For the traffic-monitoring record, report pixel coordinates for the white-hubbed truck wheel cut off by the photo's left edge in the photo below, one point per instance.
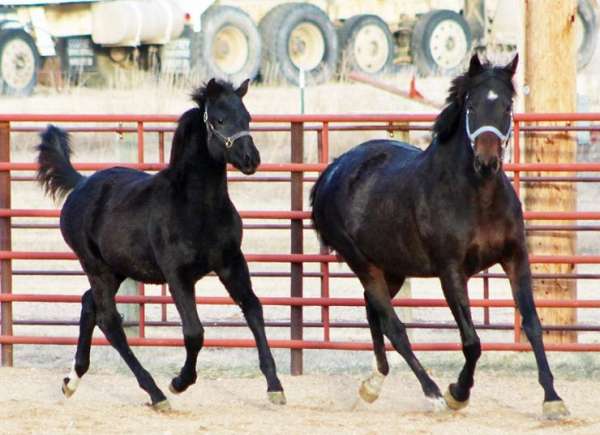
(19, 63)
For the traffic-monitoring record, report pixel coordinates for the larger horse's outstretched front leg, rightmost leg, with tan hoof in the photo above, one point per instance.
(519, 273)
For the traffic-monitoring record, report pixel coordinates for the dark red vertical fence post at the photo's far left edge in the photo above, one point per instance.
(5, 245)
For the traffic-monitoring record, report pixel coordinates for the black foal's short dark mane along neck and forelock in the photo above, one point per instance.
(191, 121)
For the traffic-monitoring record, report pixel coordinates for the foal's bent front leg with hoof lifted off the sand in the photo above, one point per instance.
(193, 333)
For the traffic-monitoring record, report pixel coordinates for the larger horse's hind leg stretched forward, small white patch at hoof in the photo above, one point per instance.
(378, 296)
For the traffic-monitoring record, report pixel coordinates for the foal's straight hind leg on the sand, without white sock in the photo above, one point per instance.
(108, 319)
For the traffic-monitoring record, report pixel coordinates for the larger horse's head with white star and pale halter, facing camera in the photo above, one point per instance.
(488, 113)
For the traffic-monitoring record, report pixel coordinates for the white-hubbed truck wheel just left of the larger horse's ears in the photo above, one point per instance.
(440, 42)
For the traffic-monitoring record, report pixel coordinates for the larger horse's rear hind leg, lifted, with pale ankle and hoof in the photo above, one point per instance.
(370, 388)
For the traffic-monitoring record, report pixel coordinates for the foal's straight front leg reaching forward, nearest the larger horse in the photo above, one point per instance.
(236, 279)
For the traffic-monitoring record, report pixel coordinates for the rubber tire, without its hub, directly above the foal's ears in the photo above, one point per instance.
(213, 20)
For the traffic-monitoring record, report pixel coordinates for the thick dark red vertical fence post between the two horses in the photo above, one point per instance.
(296, 290)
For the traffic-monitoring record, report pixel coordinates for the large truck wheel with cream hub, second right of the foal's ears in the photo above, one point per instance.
(298, 36)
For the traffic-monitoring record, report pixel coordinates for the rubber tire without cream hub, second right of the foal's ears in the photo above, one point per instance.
(275, 29)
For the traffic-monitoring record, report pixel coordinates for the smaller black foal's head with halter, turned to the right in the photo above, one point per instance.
(227, 125)
